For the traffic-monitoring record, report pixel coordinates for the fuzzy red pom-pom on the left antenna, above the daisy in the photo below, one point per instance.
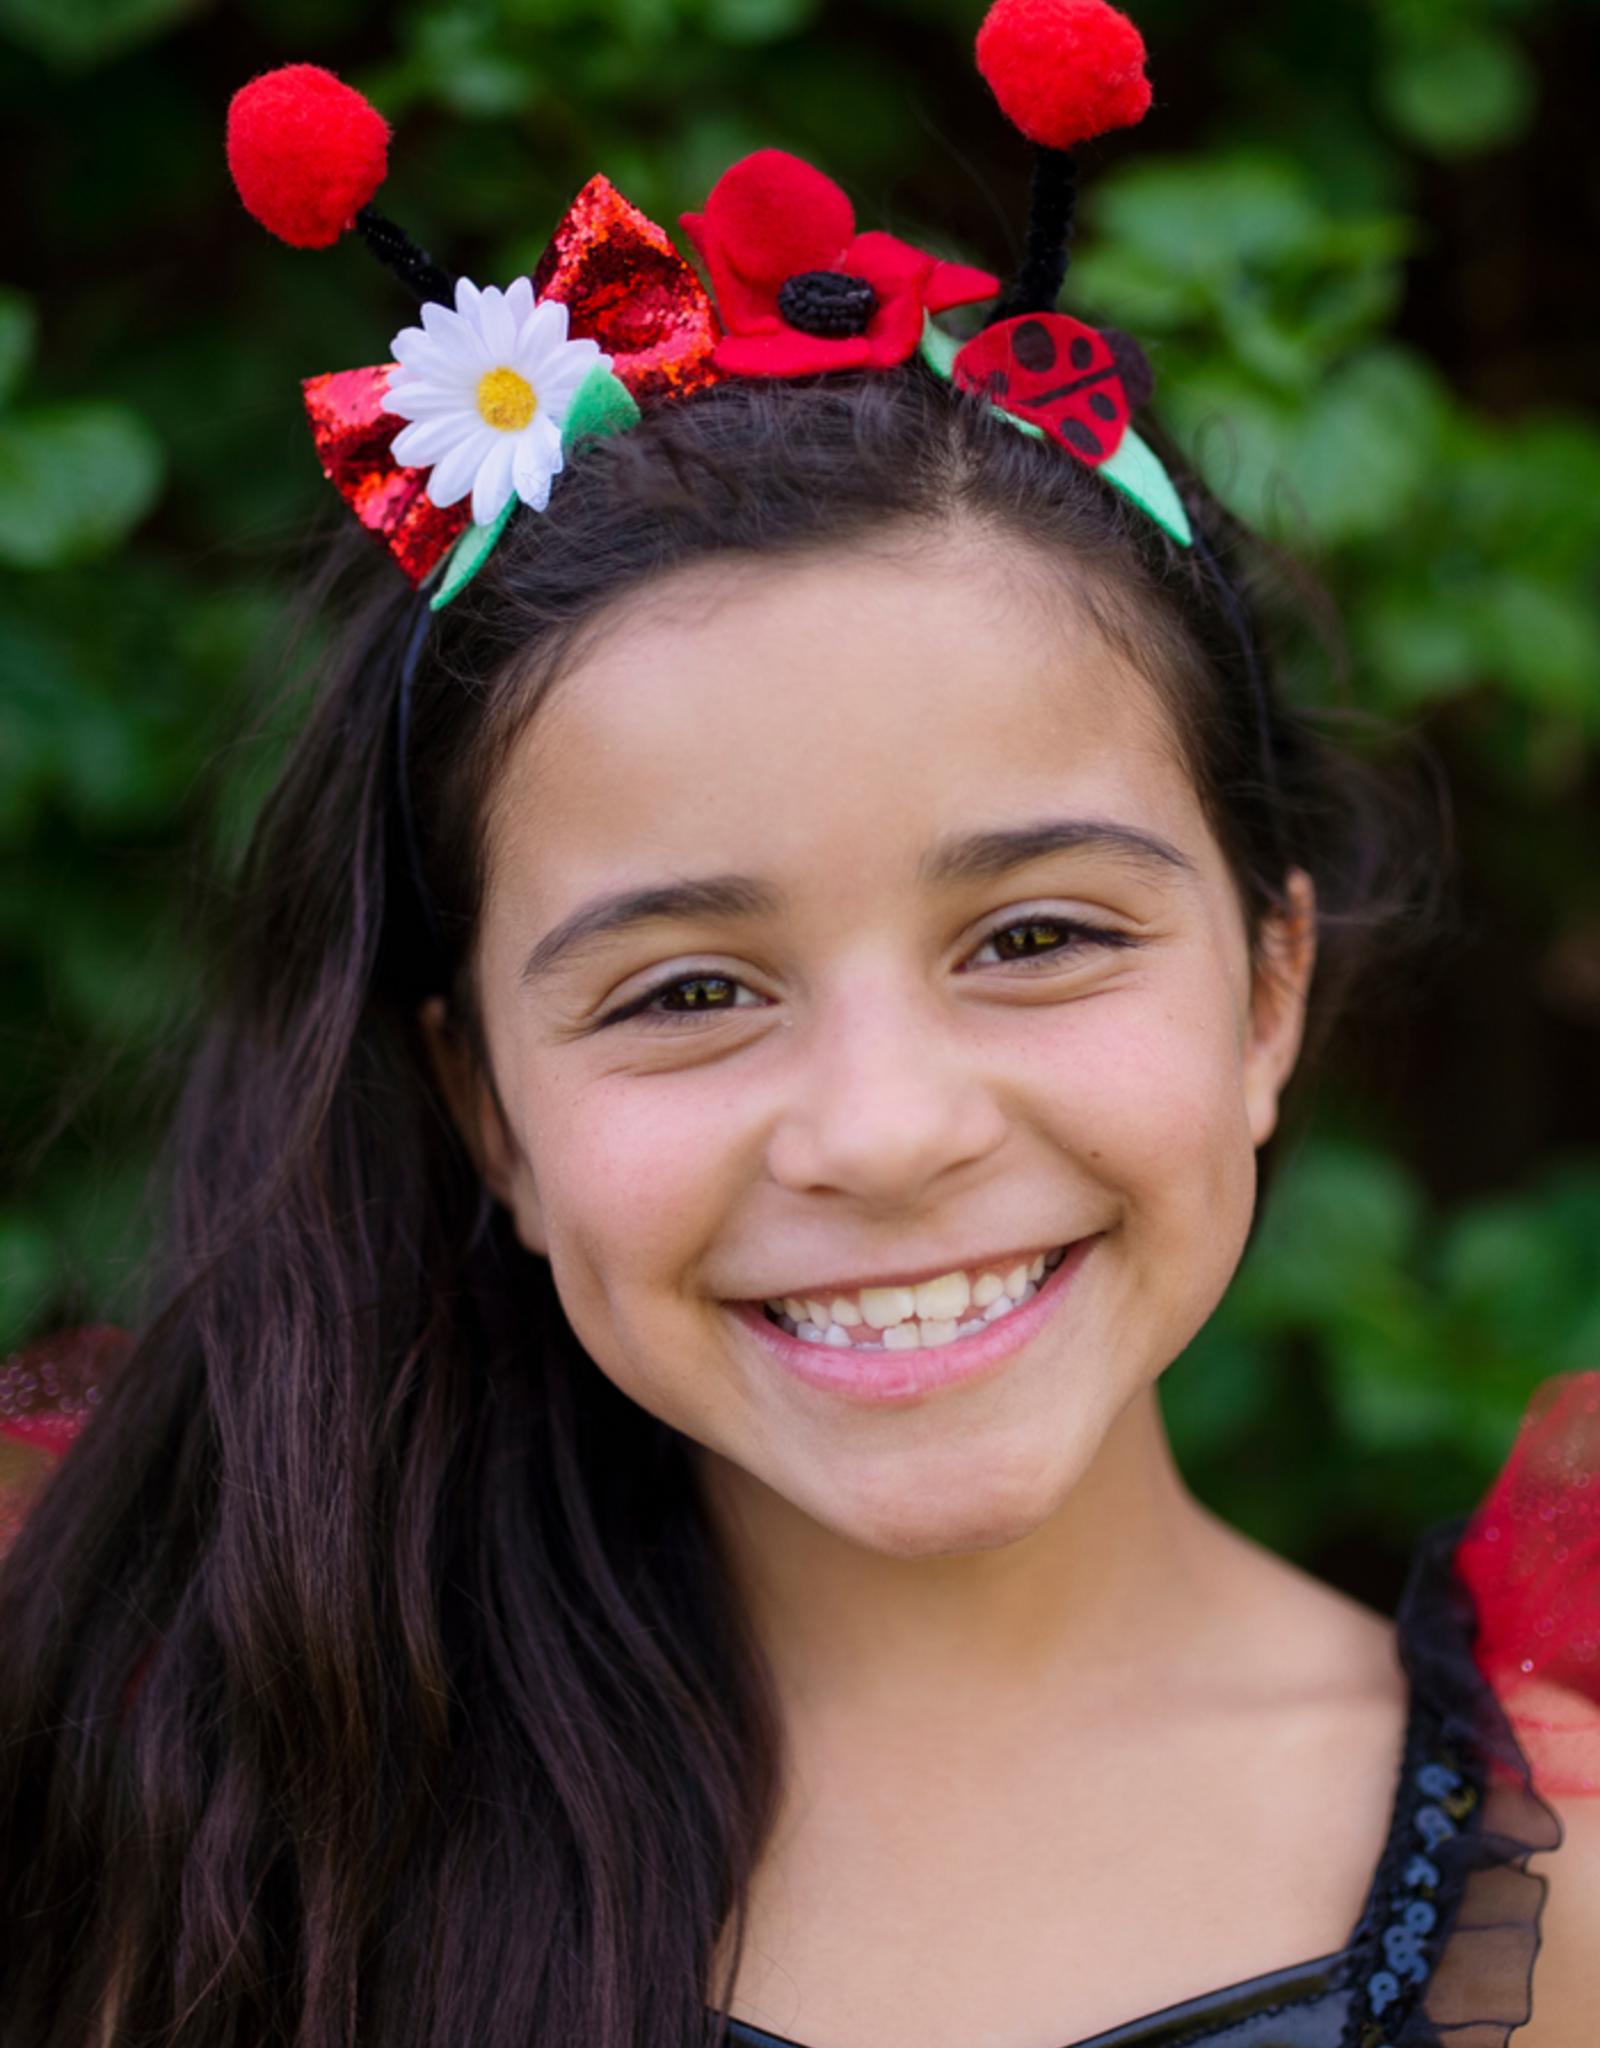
(306, 153)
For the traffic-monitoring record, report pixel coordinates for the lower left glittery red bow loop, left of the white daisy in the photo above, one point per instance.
(353, 435)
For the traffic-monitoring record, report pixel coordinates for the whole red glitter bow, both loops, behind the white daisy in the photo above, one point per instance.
(624, 286)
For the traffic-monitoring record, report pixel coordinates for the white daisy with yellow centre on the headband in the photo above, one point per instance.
(487, 390)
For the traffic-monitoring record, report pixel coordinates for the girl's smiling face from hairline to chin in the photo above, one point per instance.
(855, 943)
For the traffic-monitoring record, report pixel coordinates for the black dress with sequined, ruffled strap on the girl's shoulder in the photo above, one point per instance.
(1445, 1947)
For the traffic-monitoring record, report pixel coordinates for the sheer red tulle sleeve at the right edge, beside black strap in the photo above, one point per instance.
(1531, 1562)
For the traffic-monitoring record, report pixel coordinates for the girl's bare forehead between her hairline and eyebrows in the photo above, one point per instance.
(843, 710)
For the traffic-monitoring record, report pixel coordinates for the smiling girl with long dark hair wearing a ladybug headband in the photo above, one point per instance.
(640, 1508)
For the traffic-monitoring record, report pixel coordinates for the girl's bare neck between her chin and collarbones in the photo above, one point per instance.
(1122, 1570)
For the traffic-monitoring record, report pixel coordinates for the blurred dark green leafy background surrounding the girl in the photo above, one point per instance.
(1355, 243)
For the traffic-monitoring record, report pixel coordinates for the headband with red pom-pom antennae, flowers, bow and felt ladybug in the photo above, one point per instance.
(495, 392)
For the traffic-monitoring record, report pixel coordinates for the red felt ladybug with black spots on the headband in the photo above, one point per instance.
(1075, 382)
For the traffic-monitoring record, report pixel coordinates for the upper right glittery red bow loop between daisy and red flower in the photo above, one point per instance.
(626, 286)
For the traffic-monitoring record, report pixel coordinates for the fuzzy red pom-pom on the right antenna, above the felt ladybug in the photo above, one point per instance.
(1064, 71)
